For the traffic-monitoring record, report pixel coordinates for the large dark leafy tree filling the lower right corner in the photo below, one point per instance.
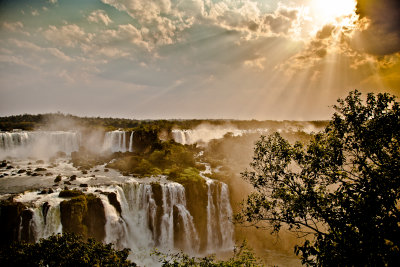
(341, 191)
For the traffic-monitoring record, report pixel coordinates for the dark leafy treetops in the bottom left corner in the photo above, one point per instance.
(64, 250)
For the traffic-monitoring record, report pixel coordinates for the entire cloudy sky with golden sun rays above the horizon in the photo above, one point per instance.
(184, 59)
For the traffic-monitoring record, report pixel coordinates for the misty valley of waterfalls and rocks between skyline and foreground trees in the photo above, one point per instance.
(172, 185)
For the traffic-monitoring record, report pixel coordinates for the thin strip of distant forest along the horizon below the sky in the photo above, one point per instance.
(60, 121)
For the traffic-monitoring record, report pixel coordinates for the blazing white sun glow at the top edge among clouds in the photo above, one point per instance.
(328, 11)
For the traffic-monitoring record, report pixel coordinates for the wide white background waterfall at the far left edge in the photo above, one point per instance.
(38, 143)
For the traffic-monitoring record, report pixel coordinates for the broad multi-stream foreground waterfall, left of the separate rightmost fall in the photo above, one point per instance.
(137, 225)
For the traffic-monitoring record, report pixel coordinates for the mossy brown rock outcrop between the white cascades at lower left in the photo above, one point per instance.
(84, 215)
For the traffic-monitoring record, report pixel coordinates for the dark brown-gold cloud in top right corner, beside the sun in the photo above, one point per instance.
(381, 36)
